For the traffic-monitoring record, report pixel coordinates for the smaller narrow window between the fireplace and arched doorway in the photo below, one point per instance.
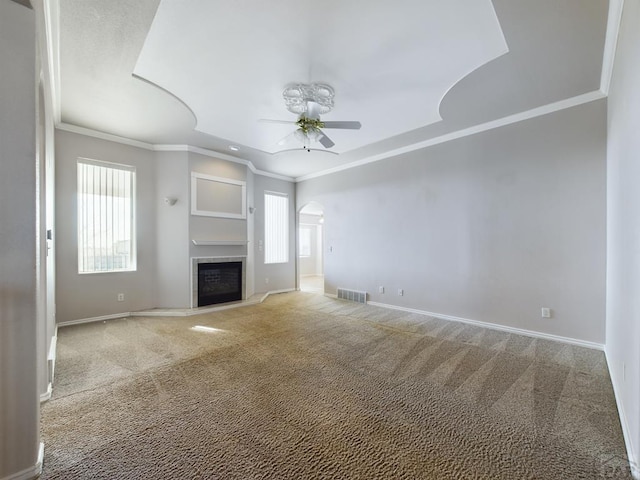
(276, 227)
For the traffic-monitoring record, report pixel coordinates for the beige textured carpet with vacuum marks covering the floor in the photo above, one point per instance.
(307, 387)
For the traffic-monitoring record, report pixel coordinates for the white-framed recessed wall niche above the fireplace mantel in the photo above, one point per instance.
(218, 197)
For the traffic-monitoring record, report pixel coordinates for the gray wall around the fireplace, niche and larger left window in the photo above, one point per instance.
(165, 232)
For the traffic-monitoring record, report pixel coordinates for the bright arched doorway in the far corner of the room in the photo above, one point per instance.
(310, 248)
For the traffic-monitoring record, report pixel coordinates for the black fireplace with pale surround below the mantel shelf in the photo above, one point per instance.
(217, 280)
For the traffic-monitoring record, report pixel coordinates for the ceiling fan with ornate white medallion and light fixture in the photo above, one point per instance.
(309, 102)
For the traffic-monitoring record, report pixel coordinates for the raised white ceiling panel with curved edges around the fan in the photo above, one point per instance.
(229, 62)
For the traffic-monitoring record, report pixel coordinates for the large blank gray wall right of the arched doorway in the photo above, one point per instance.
(491, 227)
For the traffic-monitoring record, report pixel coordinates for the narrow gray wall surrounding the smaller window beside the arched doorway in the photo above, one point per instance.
(279, 276)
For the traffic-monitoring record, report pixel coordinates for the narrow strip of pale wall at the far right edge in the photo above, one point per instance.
(623, 226)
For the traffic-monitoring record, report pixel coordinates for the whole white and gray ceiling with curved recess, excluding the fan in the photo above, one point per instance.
(203, 72)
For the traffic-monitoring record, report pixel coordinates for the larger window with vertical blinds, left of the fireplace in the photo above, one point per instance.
(106, 213)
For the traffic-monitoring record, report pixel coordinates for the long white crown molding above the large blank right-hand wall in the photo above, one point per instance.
(483, 127)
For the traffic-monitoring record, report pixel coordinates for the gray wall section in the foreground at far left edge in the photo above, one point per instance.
(19, 346)
